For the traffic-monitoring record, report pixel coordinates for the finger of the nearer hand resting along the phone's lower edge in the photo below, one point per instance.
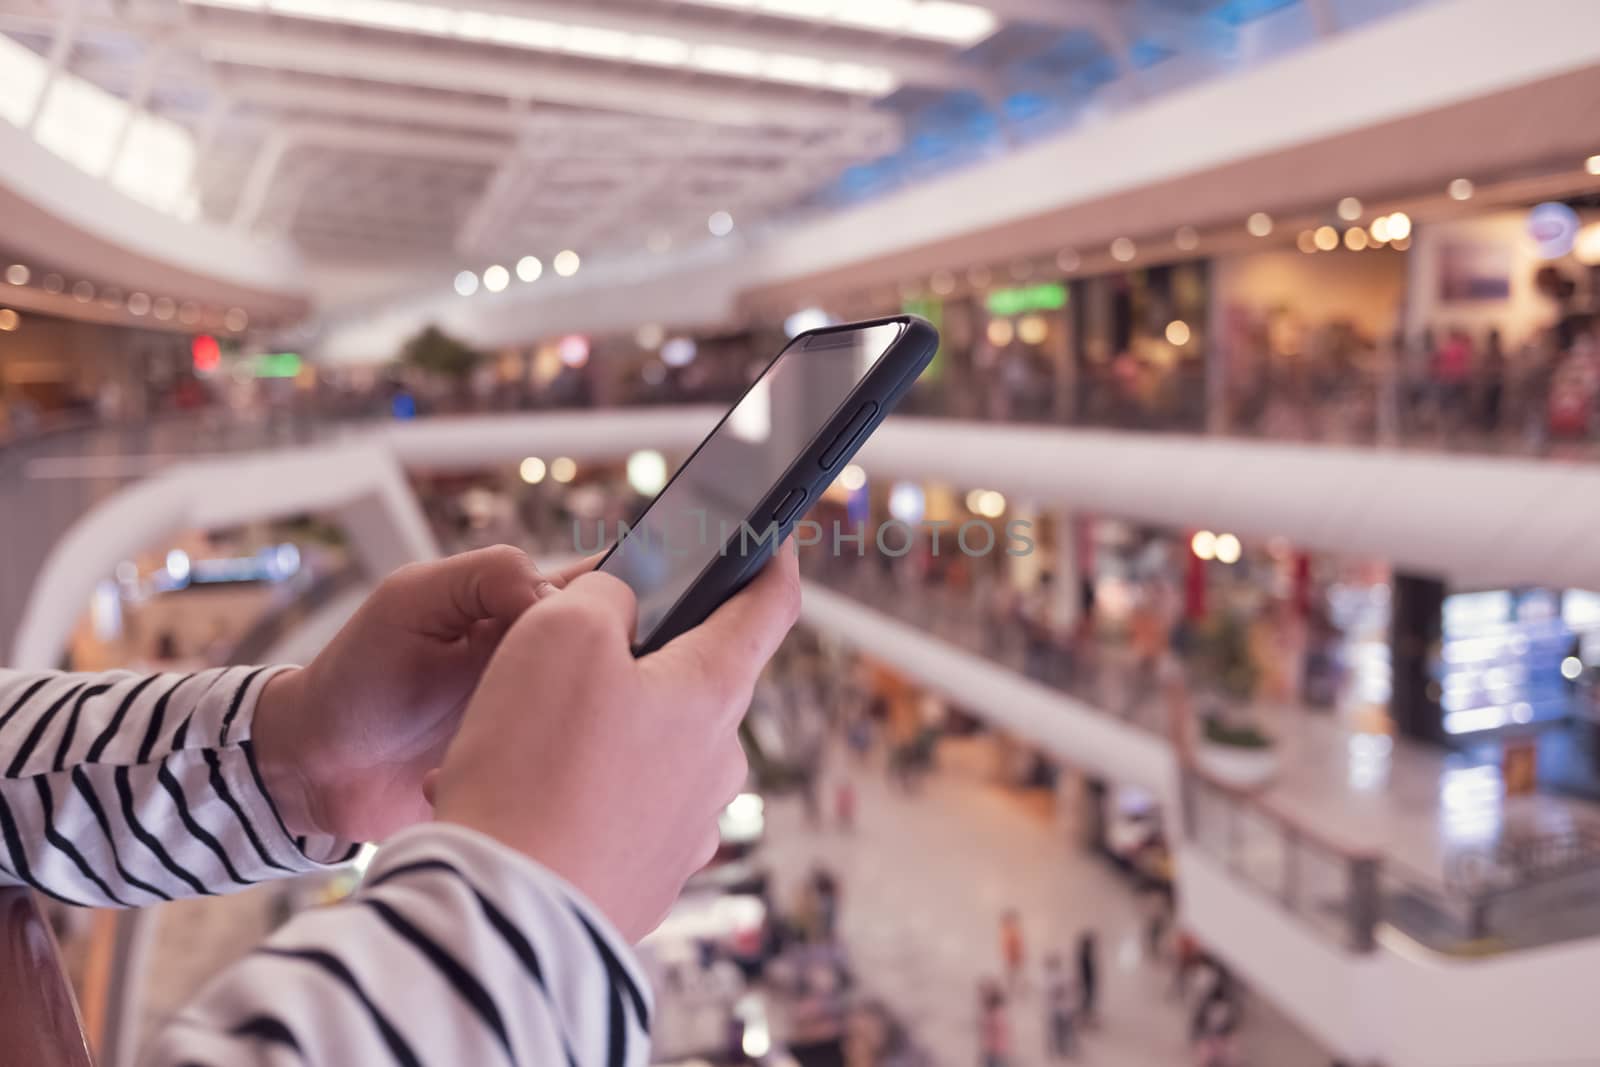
(732, 647)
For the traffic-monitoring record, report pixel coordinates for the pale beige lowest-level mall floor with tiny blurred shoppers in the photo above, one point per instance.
(926, 881)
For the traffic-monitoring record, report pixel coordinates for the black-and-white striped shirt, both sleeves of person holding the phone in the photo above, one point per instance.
(121, 791)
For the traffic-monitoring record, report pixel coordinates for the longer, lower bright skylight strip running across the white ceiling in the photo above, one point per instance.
(583, 41)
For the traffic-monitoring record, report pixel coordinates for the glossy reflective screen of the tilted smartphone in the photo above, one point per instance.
(698, 516)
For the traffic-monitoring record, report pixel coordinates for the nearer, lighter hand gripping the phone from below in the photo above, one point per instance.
(606, 769)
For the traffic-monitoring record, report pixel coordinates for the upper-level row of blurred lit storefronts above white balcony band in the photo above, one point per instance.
(1446, 386)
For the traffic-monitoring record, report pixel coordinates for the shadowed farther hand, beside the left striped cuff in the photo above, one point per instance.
(345, 743)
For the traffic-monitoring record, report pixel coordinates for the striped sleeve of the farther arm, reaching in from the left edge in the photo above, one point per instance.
(121, 789)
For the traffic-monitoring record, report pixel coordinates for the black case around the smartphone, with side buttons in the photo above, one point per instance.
(743, 559)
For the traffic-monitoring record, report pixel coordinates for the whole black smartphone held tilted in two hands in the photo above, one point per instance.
(742, 492)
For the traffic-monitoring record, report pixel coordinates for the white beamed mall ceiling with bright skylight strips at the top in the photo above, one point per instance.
(433, 134)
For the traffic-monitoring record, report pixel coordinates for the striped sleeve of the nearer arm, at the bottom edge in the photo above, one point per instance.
(457, 951)
